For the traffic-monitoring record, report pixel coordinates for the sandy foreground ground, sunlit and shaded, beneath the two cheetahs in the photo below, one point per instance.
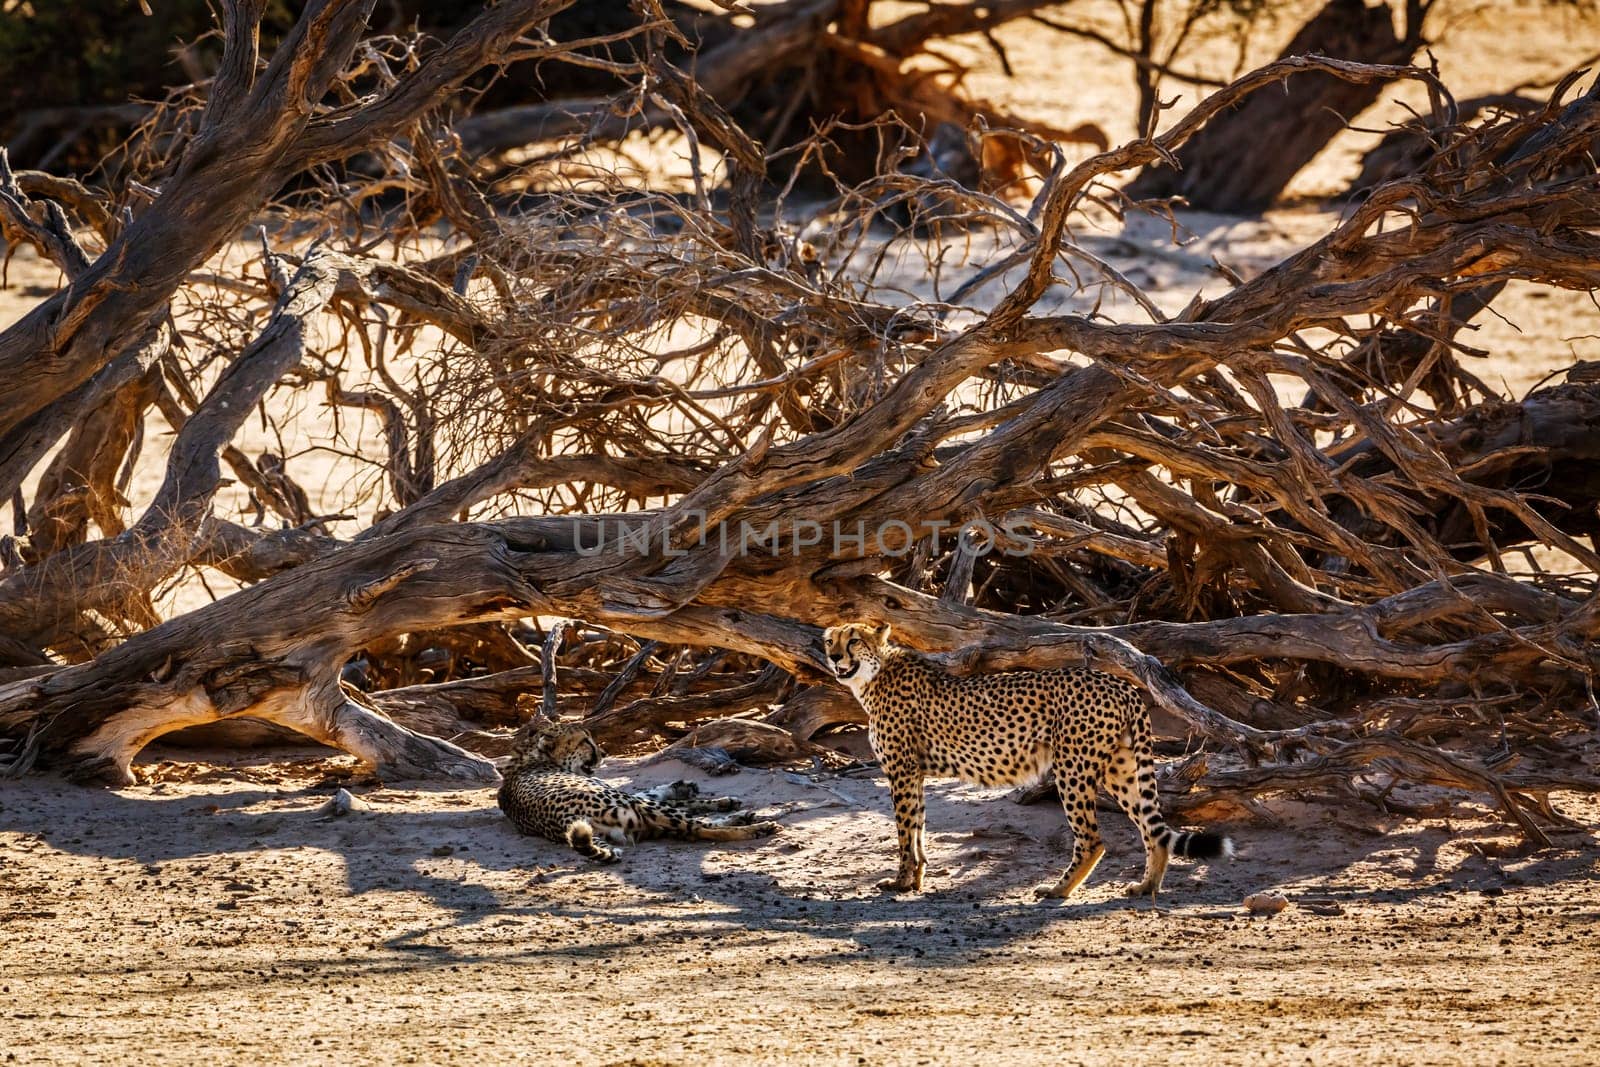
(212, 916)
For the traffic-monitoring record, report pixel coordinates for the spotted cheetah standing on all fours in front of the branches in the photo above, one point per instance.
(1007, 730)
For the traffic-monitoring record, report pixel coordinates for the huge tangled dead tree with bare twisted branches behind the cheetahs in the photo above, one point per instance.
(658, 414)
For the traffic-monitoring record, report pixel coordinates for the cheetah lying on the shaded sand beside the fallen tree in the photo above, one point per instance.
(550, 793)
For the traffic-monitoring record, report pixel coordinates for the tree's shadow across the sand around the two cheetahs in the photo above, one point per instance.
(980, 893)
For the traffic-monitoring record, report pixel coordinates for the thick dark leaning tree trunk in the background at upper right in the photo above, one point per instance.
(1246, 158)
